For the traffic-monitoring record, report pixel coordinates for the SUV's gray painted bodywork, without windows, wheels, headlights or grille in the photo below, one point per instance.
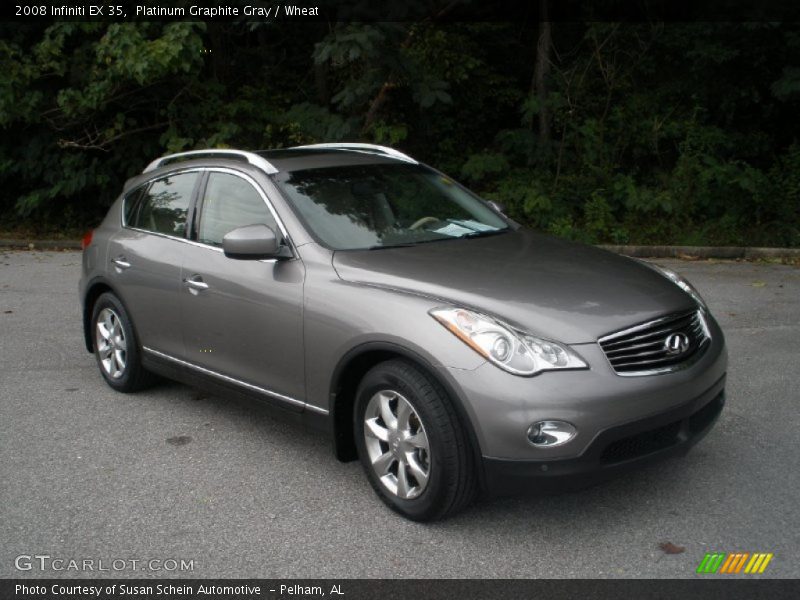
(286, 326)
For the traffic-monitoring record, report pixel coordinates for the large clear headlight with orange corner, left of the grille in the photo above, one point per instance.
(511, 350)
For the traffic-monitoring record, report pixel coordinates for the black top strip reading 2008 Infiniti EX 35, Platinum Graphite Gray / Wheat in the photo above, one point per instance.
(278, 11)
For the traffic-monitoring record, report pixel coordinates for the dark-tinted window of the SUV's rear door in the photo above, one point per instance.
(163, 208)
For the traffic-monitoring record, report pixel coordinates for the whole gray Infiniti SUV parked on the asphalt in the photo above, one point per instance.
(446, 347)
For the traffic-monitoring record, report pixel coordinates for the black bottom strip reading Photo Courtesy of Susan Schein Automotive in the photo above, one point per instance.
(731, 588)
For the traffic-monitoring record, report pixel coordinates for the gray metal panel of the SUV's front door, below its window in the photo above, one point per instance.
(248, 323)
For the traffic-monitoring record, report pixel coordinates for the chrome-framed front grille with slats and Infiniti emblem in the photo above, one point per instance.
(645, 349)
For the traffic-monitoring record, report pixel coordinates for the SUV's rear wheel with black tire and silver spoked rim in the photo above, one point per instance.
(116, 348)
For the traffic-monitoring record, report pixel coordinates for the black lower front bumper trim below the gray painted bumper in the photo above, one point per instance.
(613, 452)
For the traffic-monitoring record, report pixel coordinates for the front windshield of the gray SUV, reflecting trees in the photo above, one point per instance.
(377, 206)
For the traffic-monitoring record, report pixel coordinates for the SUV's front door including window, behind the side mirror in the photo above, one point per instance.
(242, 319)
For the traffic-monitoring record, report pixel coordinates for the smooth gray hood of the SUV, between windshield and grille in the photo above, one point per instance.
(551, 287)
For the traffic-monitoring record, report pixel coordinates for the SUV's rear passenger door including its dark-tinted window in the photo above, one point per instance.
(145, 258)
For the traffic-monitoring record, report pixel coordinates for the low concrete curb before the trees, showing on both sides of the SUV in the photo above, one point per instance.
(701, 252)
